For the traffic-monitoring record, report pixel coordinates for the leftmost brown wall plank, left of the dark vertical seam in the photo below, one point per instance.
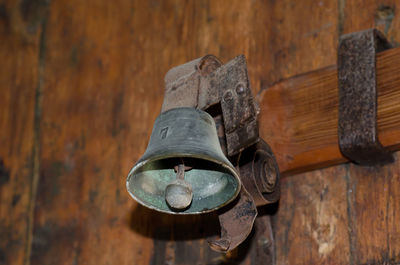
(19, 57)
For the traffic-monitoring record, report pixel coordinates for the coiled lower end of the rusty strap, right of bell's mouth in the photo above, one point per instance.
(259, 174)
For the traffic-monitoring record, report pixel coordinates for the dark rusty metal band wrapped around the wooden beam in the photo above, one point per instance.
(357, 128)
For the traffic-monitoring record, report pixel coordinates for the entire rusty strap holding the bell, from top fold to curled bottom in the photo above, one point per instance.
(224, 91)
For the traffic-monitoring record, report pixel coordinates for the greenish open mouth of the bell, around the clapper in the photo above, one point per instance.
(213, 184)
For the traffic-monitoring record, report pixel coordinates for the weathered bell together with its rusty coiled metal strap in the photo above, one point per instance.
(205, 153)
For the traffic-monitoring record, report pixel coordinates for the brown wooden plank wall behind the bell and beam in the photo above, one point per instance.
(81, 83)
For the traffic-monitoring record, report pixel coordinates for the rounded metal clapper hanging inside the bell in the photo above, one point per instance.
(178, 193)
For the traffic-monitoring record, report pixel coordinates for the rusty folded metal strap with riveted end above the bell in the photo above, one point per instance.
(205, 83)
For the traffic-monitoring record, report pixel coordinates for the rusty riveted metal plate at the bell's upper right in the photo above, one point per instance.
(229, 85)
